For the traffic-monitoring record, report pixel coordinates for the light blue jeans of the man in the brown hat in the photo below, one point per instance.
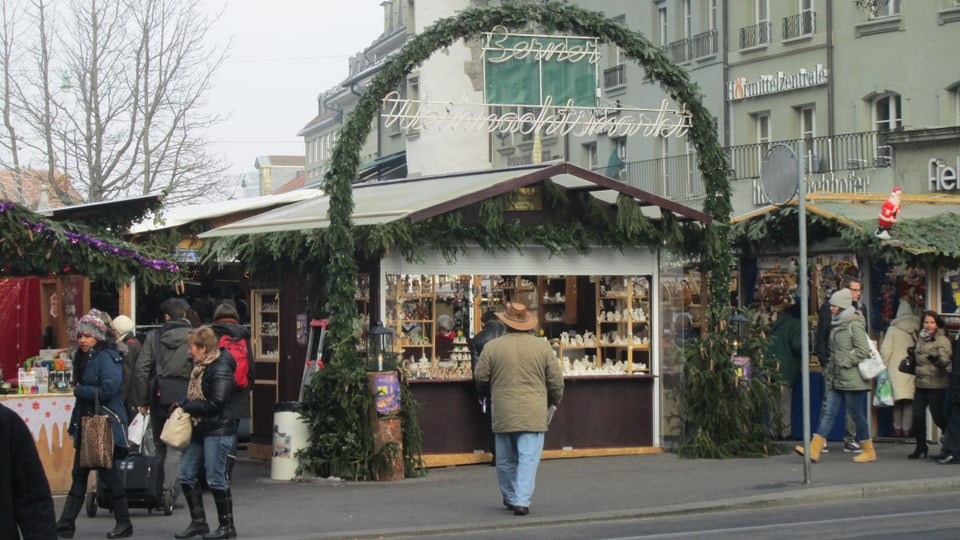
(518, 456)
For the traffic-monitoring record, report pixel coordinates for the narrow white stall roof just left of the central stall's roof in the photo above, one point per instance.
(182, 215)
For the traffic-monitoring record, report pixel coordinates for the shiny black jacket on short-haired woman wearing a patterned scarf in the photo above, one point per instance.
(214, 411)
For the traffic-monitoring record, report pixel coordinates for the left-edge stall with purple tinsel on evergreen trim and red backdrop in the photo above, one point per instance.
(47, 264)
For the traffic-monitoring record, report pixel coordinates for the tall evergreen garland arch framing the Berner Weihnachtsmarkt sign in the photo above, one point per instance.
(556, 17)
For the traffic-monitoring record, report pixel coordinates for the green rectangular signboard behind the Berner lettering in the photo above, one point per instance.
(524, 69)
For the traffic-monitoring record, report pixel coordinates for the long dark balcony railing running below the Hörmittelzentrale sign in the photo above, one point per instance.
(679, 177)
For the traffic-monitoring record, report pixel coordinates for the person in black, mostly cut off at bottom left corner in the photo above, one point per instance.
(25, 500)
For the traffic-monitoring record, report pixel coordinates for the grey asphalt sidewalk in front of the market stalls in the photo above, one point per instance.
(568, 490)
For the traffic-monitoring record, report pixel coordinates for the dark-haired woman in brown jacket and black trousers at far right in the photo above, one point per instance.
(933, 356)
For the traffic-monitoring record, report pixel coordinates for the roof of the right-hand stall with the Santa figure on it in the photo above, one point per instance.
(917, 230)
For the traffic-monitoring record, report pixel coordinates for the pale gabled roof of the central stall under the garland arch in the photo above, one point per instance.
(421, 198)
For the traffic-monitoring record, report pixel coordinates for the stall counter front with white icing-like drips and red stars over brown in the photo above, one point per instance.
(47, 416)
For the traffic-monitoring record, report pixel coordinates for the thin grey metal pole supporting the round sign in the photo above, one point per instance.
(804, 315)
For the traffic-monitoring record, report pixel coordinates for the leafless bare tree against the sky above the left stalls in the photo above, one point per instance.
(128, 118)
